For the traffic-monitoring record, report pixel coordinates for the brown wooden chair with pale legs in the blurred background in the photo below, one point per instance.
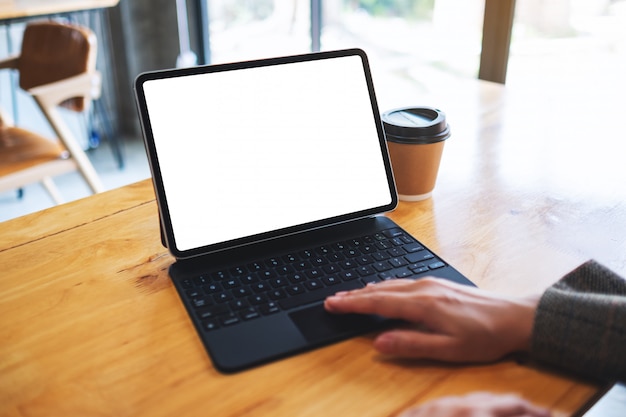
(56, 66)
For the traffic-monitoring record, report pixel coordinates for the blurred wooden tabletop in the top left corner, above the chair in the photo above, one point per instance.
(17, 9)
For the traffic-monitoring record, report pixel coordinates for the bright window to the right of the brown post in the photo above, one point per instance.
(567, 42)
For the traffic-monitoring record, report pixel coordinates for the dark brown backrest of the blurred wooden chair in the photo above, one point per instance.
(53, 51)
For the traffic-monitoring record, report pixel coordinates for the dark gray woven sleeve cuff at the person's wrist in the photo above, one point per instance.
(580, 324)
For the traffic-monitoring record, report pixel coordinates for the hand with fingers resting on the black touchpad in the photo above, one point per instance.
(455, 322)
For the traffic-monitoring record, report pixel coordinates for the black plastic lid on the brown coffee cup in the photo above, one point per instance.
(415, 125)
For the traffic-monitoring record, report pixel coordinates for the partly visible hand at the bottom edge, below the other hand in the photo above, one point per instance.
(481, 404)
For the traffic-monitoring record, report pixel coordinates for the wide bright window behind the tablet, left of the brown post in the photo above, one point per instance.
(401, 37)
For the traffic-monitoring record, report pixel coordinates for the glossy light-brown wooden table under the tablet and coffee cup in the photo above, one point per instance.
(90, 324)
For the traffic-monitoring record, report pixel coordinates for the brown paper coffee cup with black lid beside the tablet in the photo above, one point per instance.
(415, 139)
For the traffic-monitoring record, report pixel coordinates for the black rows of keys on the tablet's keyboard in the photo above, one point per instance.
(241, 293)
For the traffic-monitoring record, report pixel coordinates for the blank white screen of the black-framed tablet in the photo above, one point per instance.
(254, 150)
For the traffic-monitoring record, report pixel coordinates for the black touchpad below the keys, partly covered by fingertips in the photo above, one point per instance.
(317, 325)
